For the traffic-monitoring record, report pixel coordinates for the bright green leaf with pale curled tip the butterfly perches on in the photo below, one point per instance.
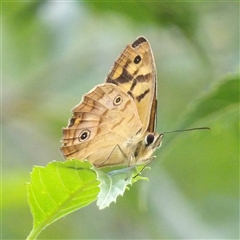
(63, 187)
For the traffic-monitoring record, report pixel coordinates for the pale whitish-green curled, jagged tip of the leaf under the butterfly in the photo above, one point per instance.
(115, 183)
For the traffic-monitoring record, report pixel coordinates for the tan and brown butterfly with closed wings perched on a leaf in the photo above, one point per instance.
(114, 124)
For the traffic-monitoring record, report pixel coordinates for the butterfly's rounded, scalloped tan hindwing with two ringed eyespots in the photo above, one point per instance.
(101, 127)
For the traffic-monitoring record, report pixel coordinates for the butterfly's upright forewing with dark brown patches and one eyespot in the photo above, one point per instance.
(135, 73)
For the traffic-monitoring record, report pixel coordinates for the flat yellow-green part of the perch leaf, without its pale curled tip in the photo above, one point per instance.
(59, 189)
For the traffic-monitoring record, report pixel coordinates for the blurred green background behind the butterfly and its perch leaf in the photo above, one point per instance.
(54, 52)
